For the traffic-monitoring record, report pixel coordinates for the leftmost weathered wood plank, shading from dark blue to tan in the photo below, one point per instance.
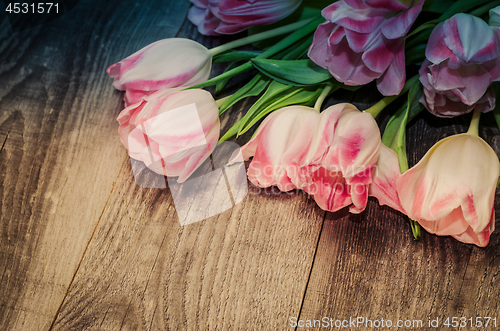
(58, 158)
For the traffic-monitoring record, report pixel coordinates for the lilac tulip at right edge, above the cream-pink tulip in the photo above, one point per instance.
(462, 61)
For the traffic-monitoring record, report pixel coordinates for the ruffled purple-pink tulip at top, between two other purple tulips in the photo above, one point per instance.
(363, 40)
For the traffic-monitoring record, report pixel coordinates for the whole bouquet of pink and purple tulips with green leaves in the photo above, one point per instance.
(337, 155)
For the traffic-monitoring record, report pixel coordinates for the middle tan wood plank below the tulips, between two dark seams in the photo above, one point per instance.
(245, 268)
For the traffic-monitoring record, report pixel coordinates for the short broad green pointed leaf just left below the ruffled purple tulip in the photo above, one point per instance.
(293, 72)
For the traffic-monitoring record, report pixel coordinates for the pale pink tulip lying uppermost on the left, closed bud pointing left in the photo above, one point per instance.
(167, 63)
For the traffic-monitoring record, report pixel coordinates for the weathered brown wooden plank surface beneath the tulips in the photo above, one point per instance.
(82, 247)
